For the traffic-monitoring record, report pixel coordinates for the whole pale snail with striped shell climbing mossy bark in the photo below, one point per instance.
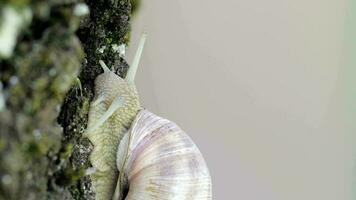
(138, 155)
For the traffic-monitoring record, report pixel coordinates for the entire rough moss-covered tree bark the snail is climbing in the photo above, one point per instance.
(42, 153)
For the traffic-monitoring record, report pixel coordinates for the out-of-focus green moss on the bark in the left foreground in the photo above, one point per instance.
(35, 80)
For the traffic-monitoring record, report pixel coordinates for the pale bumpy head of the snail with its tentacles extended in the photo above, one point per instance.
(118, 94)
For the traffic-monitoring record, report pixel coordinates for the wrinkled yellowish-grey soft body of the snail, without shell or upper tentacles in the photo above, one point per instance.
(108, 121)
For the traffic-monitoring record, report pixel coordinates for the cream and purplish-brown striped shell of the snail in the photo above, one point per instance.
(157, 160)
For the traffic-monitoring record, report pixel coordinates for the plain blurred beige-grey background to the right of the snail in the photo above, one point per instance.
(256, 84)
